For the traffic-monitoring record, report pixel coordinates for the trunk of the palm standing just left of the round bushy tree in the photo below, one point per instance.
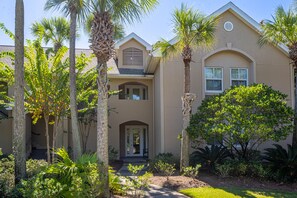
(187, 101)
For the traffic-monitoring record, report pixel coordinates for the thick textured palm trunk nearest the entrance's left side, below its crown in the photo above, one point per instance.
(102, 127)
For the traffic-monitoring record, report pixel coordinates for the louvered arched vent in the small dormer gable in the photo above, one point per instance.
(132, 56)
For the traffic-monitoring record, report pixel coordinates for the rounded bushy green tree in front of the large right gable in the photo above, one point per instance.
(242, 118)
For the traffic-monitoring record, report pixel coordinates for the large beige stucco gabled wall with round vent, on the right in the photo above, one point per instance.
(238, 48)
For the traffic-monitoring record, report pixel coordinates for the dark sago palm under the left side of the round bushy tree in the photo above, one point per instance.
(209, 157)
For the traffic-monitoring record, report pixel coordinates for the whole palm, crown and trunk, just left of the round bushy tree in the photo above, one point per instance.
(191, 30)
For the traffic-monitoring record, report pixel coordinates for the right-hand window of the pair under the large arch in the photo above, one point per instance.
(239, 76)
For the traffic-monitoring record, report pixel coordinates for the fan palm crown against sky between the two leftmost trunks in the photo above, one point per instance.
(55, 30)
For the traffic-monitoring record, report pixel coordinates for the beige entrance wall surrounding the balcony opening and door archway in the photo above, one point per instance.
(124, 111)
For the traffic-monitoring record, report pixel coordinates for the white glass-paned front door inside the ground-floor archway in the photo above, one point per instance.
(135, 141)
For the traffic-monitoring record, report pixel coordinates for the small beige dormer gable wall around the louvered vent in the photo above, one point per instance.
(136, 44)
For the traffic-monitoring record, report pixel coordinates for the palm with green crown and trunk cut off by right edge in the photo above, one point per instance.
(282, 30)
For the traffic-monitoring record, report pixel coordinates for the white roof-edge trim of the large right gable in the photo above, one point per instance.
(241, 15)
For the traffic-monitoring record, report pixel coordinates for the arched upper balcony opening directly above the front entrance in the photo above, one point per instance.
(133, 91)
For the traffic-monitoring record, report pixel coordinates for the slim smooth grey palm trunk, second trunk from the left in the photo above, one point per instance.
(76, 141)
